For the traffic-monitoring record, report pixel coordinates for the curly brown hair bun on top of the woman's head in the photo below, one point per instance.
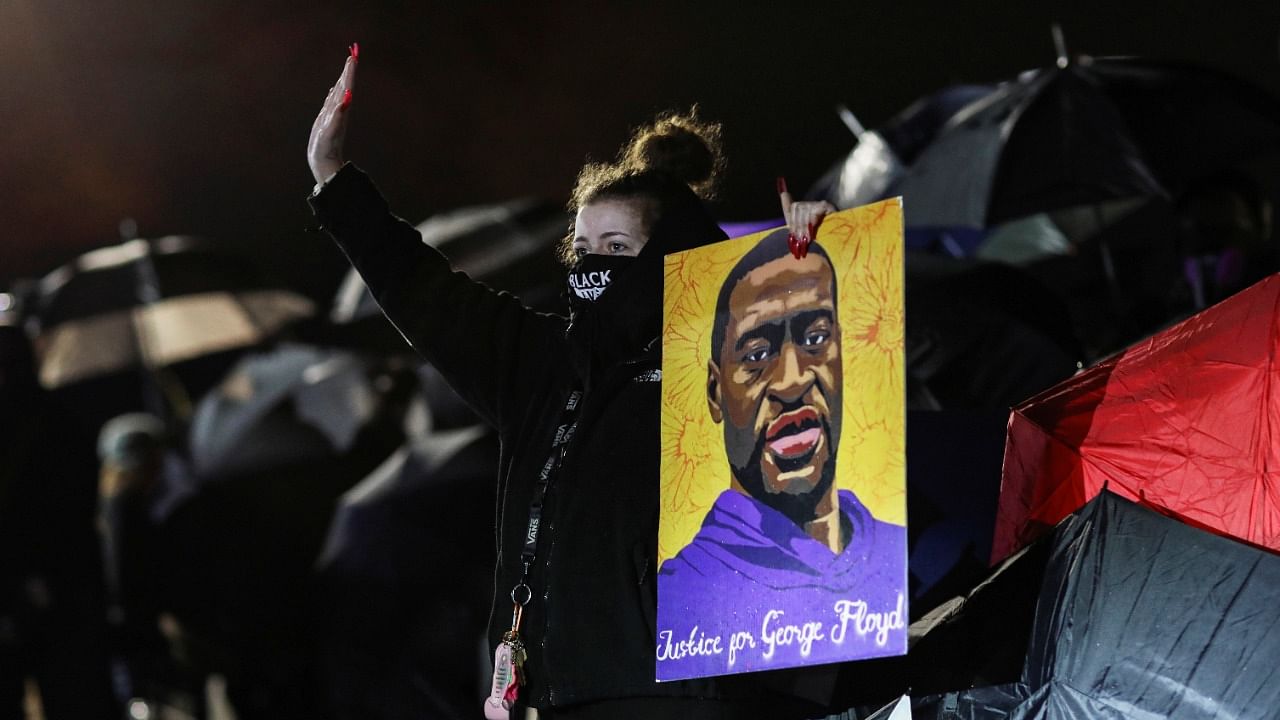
(680, 145)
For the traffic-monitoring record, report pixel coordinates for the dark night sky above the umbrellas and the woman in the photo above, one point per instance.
(193, 116)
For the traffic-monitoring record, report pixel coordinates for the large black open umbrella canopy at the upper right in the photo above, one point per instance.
(1092, 131)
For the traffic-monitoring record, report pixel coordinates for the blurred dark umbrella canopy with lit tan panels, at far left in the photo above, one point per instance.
(152, 304)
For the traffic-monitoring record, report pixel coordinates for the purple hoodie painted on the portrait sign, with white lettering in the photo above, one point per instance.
(752, 593)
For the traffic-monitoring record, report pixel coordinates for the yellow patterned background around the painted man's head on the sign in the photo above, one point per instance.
(866, 248)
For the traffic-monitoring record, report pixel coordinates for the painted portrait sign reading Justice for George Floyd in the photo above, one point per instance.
(783, 536)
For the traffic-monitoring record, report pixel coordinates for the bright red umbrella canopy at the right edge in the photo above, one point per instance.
(1186, 422)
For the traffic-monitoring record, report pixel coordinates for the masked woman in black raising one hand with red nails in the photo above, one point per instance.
(577, 408)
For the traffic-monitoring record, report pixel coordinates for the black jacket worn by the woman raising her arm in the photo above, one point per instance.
(591, 626)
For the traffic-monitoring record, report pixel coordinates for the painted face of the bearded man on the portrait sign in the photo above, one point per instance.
(778, 386)
